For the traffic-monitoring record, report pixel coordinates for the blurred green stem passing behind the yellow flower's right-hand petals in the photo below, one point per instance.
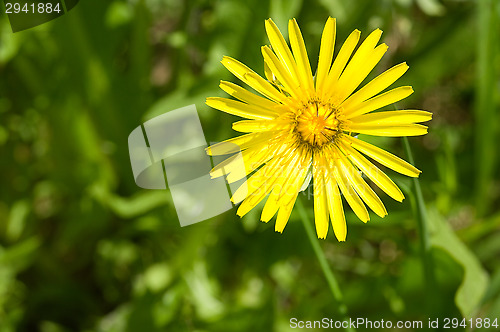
(423, 229)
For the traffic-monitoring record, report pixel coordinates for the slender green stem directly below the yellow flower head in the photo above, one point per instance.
(323, 263)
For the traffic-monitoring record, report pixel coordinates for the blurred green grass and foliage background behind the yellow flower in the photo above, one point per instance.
(82, 248)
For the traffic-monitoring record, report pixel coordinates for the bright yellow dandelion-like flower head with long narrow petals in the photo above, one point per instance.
(304, 126)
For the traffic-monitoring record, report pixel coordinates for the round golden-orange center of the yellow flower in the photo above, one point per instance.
(317, 124)
